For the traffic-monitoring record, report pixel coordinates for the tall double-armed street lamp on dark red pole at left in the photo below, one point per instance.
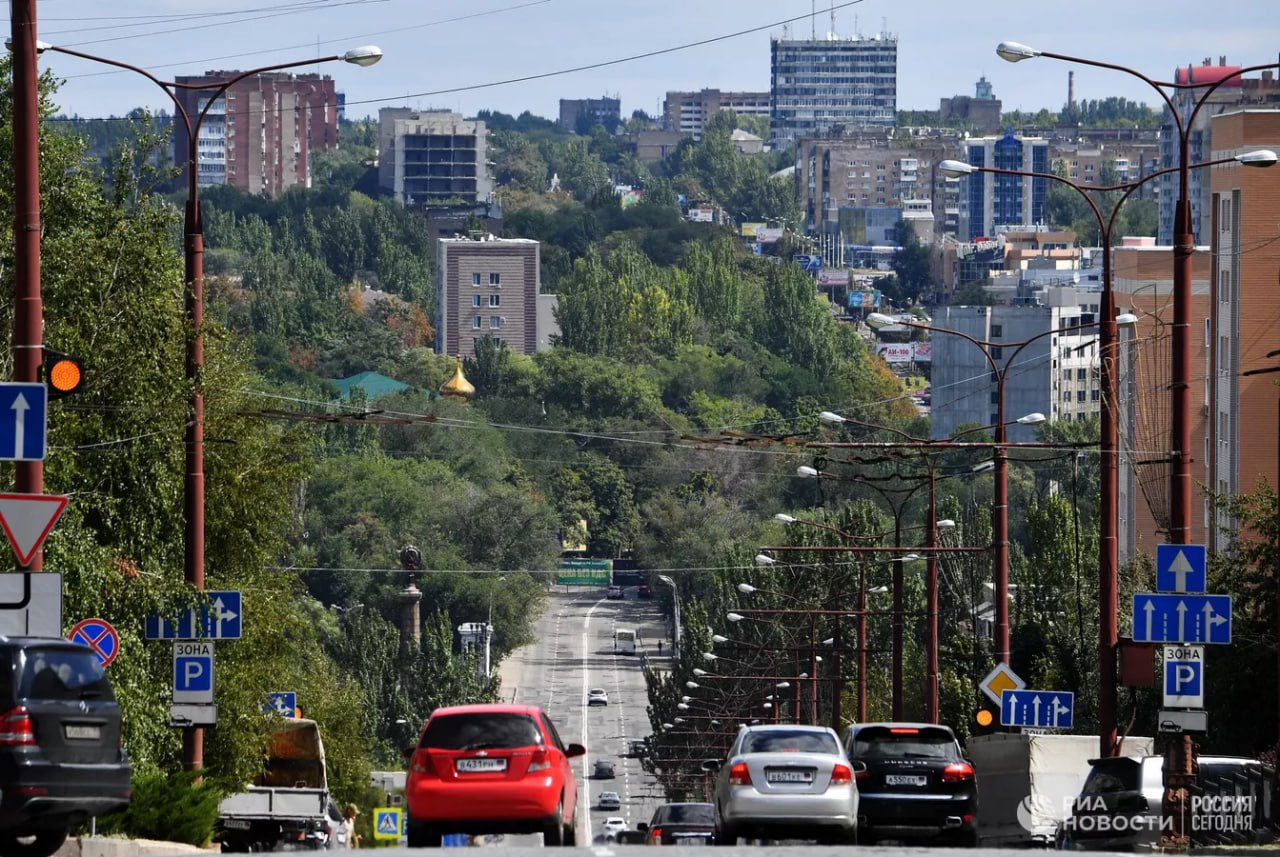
(194, 305)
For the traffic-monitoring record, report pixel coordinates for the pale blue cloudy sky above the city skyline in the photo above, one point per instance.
(460, 56)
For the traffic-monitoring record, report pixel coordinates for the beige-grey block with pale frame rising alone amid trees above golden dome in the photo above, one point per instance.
(487, 287)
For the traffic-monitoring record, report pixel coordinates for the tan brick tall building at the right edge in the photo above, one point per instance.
(1244, 326)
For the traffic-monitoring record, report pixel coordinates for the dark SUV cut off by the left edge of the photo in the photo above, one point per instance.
(61, 757)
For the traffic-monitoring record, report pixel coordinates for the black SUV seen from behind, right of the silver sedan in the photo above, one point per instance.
(913, 785)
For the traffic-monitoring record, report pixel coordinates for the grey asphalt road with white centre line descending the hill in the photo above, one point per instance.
(574, 653)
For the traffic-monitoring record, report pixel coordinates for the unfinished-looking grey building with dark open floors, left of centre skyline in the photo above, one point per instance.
(432, 158)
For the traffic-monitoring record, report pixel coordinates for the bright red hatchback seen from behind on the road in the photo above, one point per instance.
(491, 769)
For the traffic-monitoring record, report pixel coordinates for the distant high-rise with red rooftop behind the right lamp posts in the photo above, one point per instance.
(1236, 93)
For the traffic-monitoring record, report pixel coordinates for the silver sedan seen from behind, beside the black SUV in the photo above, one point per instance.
(785, 782)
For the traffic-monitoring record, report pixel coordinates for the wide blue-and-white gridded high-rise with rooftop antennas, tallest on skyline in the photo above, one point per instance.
(822, 84)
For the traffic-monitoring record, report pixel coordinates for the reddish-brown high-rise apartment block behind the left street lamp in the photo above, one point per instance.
(259, 135)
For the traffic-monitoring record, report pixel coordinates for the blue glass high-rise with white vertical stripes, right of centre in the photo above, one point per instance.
(993, 200)
